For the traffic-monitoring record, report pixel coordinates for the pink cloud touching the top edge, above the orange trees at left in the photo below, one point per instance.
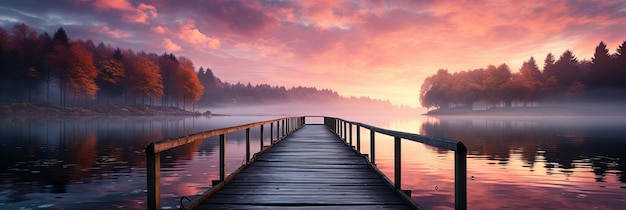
(140, 14)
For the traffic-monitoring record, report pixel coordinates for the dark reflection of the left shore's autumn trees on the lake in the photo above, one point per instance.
(47, 154)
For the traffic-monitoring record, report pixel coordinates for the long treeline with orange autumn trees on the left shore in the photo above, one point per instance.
(54, 69)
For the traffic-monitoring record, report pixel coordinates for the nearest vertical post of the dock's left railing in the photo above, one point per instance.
(153, 163)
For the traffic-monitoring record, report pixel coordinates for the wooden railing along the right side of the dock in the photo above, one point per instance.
(343, 129)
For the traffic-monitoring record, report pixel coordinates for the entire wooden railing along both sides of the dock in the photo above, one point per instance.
(286, 126)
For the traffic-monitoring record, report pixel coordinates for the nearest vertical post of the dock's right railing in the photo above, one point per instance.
(460, 176)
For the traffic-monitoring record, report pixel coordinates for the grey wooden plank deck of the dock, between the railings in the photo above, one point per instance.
(311, 168)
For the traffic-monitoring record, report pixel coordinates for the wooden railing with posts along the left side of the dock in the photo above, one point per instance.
(153, 160)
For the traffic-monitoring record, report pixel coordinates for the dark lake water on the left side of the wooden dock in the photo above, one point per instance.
(99, 162)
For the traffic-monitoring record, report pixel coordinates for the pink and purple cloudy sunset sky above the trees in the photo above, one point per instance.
(377, 48)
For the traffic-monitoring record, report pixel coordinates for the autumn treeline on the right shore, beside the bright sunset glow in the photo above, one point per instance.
(565, 79)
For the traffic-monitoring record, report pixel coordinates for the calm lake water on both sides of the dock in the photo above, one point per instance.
(521, 163)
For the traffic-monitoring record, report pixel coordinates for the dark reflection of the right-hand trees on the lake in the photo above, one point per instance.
(562, 144)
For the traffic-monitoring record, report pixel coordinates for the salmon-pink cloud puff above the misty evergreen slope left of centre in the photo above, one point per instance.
(189, 33)
